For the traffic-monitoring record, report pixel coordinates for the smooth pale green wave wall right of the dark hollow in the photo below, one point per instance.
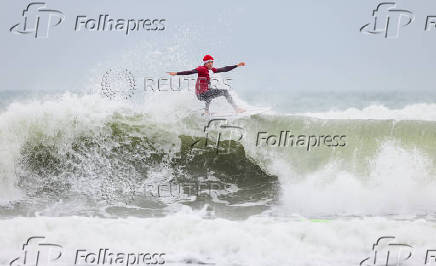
(360, 142)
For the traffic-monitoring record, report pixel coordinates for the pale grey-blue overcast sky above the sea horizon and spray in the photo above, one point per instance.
(299, 45)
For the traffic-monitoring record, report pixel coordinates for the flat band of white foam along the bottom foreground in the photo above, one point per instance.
(187, 236)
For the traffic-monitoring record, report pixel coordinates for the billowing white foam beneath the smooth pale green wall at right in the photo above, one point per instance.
(398, 182)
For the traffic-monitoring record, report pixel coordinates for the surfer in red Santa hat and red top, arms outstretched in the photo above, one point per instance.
(202, 89)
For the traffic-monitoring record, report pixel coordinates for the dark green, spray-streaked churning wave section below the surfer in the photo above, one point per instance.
(125, 159)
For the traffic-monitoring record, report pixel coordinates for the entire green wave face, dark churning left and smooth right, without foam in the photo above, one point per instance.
(125, 160)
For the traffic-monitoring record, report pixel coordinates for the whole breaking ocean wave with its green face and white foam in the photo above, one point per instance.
(87, 147)
